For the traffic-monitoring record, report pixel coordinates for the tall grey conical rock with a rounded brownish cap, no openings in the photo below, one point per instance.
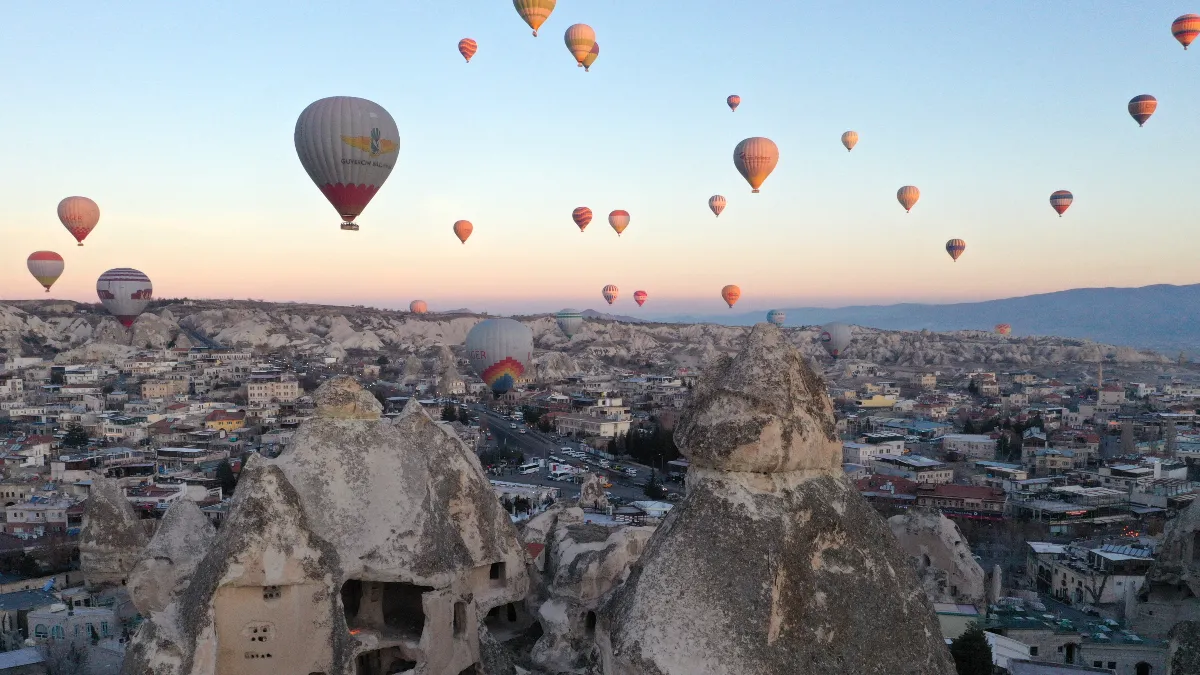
(820, 587)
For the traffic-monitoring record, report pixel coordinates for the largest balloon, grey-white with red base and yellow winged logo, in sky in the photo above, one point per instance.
(349, 147)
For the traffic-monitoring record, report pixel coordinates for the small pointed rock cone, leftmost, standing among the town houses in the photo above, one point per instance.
(113, 539)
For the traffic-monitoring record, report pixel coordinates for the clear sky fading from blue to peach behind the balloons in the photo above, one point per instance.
(178, 120)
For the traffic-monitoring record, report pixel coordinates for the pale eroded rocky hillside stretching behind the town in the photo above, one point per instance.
(83, 332)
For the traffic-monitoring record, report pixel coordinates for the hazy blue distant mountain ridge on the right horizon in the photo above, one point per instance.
(1161, 318)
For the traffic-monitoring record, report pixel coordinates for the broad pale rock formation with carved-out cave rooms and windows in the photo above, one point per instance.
(368, 547)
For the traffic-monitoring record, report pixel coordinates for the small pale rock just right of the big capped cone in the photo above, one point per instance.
(947, 570)
